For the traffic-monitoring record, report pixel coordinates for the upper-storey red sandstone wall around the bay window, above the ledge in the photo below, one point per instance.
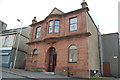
(64, 26)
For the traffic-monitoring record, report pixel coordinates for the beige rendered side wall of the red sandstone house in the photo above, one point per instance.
(93, 46)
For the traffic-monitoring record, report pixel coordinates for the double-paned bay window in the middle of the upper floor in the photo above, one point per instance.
(54, 26)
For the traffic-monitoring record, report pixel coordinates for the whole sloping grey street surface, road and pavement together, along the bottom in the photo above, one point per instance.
(18, 74)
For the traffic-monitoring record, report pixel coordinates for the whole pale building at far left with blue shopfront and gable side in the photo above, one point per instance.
(8, 47)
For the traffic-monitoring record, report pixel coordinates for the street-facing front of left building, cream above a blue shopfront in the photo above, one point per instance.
(4, 46)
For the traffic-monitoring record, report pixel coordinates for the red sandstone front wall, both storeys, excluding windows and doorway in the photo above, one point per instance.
(76, 69)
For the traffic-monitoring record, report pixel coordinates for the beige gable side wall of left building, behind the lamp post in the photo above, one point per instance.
(22, 48)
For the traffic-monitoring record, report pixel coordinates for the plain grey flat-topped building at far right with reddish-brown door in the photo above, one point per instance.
(110, 56)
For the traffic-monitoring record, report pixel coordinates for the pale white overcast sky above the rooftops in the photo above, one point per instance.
(103, 12)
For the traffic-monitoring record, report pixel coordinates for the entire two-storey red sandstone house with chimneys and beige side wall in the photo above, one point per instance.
(65, 43)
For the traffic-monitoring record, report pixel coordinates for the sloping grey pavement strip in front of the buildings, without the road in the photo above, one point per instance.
(37, 75)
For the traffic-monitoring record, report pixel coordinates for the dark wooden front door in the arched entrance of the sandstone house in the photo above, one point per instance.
(52, 59)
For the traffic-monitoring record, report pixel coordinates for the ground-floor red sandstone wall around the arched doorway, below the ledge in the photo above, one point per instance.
(76, 69)
